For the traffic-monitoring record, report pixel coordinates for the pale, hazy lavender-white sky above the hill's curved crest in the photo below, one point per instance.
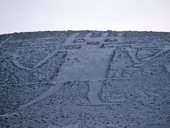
(49, 15)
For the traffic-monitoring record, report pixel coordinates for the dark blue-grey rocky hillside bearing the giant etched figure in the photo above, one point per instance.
(85, 79)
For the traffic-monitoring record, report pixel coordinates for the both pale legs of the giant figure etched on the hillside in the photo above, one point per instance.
(93, 95)
